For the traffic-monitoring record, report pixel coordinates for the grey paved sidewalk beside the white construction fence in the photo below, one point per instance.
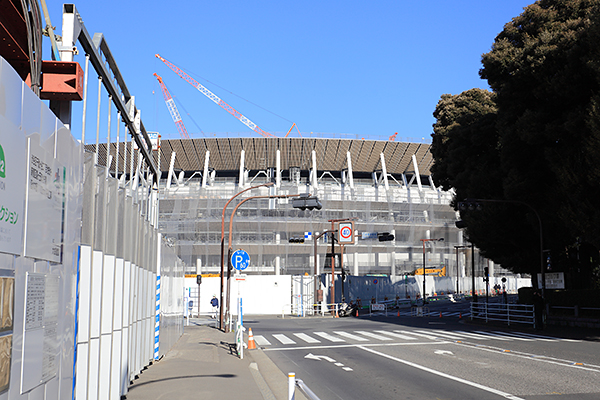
(203, 365)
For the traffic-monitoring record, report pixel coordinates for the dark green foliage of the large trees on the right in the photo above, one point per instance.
(536, 137)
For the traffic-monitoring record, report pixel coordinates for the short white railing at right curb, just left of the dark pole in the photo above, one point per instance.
(509, 313)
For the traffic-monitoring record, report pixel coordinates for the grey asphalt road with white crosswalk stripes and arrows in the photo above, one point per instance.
(391, 357)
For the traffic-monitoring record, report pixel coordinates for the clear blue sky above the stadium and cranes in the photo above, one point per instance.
(366, 69)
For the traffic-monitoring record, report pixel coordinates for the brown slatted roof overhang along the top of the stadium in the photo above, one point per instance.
(295, 152)
